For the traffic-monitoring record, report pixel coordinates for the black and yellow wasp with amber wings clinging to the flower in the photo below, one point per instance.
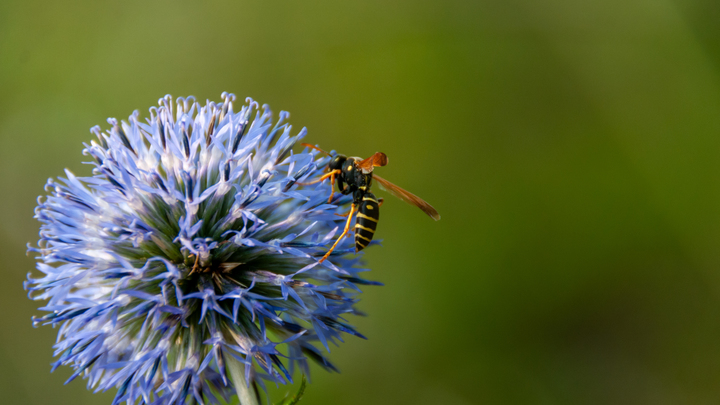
(355, 175)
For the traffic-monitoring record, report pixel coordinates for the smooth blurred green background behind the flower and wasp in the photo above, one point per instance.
(572, 148)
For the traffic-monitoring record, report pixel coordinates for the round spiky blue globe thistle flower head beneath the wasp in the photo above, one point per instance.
(186, 268)
